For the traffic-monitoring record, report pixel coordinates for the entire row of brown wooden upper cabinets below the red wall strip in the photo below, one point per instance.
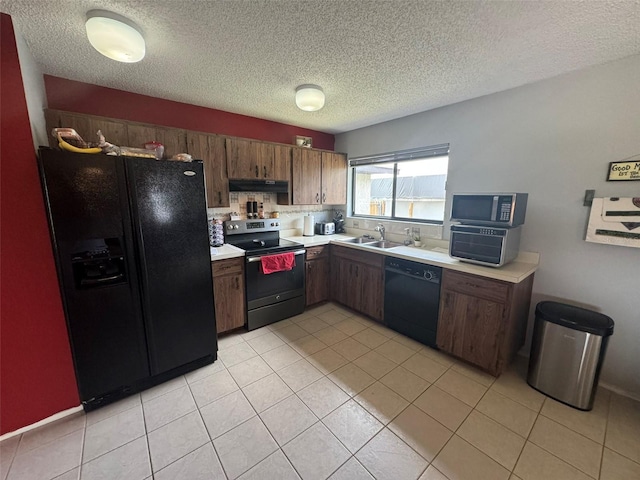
(315, 177)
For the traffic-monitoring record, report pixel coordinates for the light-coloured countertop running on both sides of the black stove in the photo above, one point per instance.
(524, 265)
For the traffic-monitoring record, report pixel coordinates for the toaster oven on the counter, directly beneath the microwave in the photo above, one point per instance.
(490, 246)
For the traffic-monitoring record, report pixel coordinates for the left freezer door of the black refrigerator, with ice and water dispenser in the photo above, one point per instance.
(86, 203)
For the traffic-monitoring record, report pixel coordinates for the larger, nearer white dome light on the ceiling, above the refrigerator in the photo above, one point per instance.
(115, 36)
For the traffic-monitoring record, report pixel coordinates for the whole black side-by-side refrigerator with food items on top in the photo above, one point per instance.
(131, 244)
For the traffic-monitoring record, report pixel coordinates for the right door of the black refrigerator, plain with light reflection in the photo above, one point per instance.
(170, 222)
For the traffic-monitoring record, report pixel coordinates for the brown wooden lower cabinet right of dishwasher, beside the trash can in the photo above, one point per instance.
(482, 320)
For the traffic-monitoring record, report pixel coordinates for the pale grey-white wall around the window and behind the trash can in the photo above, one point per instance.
(552, 139)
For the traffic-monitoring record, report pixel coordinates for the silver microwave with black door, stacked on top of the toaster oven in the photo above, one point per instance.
(492, 209)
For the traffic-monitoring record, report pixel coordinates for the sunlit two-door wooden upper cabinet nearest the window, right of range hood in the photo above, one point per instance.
(319, 177)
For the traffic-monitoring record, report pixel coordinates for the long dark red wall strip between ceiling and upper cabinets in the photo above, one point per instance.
(72, 96)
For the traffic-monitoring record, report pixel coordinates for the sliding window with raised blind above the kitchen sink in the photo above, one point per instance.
(404, 185)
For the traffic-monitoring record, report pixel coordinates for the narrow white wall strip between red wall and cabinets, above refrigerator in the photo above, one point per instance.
(34, 91)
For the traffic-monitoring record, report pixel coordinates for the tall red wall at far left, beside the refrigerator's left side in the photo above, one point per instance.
(36, 370)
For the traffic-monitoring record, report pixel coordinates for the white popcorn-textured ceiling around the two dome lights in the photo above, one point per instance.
(376, 60)
